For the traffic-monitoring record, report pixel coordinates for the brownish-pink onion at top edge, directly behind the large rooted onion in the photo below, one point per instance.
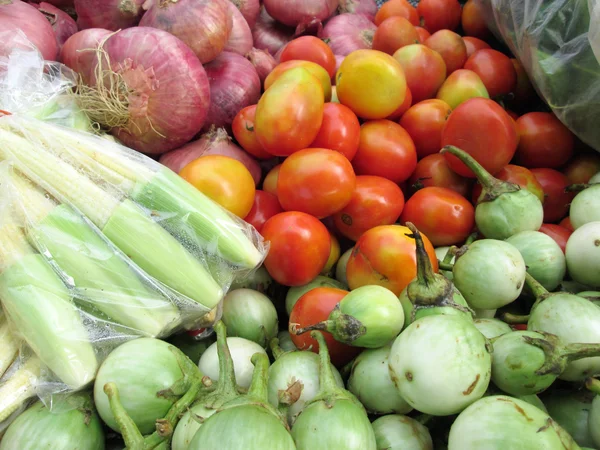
(204, 25)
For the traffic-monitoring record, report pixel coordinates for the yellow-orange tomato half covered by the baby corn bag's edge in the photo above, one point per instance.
(223, 179)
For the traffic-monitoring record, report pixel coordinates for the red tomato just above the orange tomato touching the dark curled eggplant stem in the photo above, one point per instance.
(375, 201)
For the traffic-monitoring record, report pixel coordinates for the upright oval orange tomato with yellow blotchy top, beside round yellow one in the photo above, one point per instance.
(289, 114)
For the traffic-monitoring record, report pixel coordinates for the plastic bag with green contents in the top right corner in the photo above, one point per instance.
(558, 43)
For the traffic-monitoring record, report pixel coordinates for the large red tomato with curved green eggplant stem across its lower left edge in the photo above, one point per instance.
(477, 126)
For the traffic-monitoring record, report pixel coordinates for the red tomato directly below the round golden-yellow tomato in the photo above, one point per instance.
(386, 150)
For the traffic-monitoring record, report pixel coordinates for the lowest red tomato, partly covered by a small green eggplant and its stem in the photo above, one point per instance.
(314, 307)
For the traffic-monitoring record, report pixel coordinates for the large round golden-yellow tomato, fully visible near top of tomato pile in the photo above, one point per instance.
(371, 83)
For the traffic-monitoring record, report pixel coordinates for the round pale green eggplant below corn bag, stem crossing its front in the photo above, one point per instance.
(140, 368)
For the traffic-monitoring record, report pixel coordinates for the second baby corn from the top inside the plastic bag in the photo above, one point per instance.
(145, 242)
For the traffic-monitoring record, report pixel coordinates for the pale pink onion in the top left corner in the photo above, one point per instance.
(16, 15)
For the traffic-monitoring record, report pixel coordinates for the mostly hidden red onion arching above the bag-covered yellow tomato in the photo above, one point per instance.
(214, 142)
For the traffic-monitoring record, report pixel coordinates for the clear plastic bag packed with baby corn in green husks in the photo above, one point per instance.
(99, 244)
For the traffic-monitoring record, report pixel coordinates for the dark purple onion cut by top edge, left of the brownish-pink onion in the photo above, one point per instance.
(108, 14)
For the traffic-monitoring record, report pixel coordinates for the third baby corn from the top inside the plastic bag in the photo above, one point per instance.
(88, 263)
